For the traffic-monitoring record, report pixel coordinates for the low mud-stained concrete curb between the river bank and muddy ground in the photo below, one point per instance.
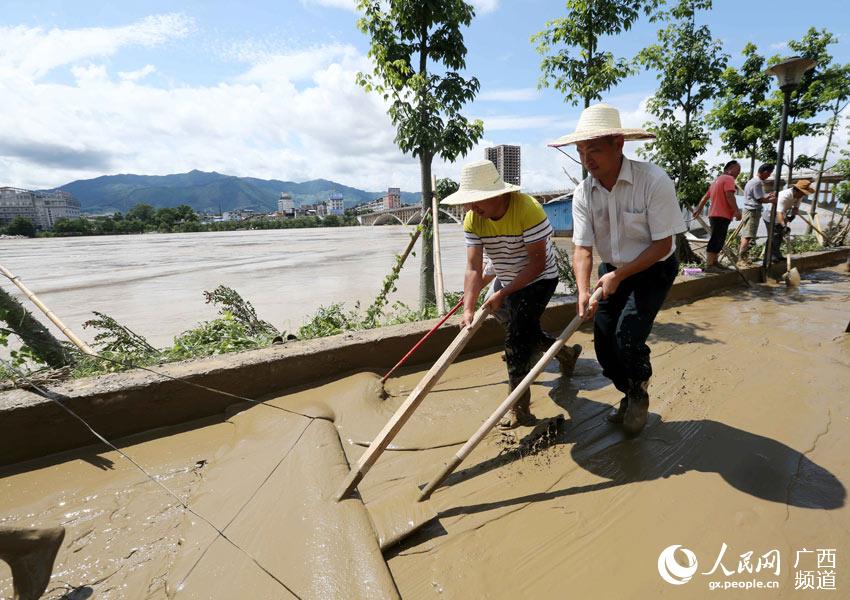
(121, 404)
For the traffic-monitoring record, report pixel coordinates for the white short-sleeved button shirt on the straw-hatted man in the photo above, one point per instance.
(640, 208)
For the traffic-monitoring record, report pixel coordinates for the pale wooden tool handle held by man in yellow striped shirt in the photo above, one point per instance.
(394, 425)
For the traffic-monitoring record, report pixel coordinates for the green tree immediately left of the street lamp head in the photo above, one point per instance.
(742, 112)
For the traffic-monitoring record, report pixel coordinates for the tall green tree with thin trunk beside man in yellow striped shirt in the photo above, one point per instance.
(418, 50)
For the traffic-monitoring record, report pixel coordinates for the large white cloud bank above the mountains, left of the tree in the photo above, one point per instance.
(296, 115)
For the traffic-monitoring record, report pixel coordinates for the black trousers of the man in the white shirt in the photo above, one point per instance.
(624, 320)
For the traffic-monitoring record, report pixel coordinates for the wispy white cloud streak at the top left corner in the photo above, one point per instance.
(33, 52)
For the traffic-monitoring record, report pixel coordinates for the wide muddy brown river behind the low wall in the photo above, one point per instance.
(154, 283)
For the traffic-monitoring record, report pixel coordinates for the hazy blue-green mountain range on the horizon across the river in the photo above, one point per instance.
(208, 192)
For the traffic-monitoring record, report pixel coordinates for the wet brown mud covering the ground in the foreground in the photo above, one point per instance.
(747, 445)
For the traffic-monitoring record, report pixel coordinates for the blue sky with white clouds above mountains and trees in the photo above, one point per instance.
(266, 89)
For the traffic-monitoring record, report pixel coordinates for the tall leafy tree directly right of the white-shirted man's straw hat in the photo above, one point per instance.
(689, 63)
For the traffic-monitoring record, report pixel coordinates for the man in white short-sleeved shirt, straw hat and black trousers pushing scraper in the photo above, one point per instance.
(628, 210)
